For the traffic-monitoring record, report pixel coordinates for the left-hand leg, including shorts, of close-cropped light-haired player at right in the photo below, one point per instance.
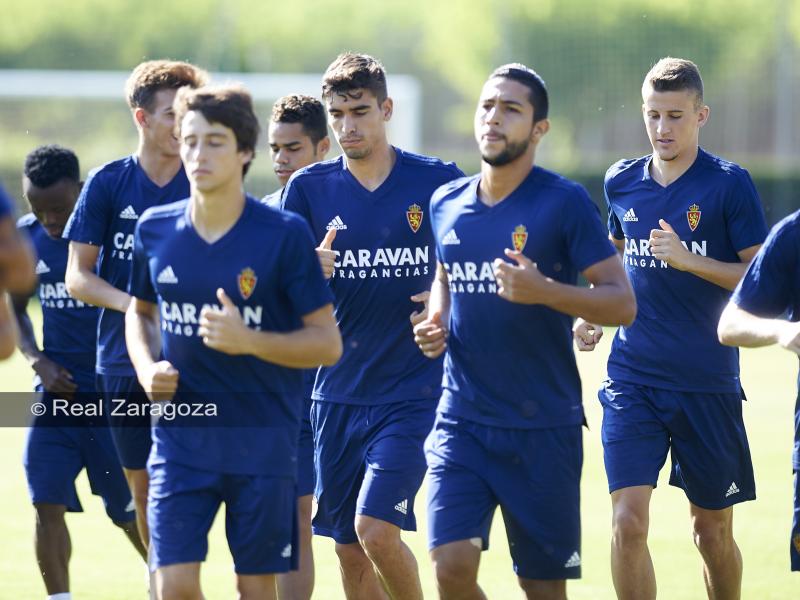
(635, 446)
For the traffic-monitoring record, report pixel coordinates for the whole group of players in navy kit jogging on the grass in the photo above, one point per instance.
(282, 325)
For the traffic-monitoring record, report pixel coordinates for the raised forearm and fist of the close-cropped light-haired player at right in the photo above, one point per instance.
(666, 245)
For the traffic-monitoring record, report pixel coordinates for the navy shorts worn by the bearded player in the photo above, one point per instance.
(532, 474)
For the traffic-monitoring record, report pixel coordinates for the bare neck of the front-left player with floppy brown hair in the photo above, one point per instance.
(214, 213)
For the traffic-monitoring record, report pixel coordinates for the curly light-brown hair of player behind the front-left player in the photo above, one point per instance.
(152, 76)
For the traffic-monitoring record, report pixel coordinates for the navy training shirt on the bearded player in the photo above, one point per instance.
(512, 365)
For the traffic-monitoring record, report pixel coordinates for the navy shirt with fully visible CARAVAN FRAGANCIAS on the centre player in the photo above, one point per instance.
(385, 246)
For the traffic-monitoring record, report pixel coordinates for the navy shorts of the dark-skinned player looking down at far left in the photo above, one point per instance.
(54, 456)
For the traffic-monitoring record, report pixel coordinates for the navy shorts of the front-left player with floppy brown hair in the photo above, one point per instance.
(260, 517)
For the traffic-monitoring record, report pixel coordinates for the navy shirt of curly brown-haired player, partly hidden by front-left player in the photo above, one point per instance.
(112, 200)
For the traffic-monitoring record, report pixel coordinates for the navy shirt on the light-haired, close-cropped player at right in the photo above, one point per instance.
(715, 210)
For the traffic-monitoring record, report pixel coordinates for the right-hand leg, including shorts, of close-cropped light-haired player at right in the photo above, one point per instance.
(712, 464)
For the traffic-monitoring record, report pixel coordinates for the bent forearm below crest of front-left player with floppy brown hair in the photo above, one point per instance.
(304, 348)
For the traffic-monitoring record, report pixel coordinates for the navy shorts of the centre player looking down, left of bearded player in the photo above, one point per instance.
(369, 461)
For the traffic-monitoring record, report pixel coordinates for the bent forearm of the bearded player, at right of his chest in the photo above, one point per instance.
(610, 303)
